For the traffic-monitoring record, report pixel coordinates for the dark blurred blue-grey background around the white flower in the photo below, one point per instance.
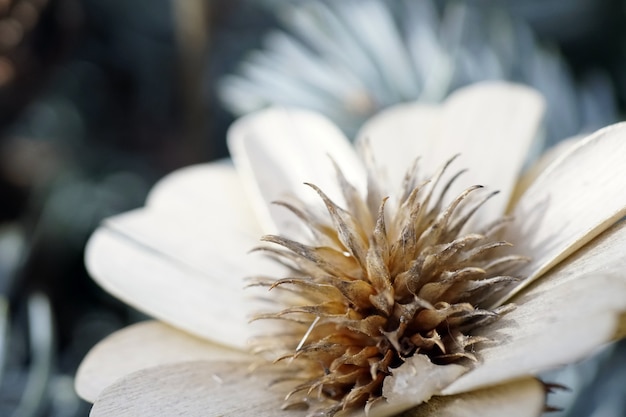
(101, 98)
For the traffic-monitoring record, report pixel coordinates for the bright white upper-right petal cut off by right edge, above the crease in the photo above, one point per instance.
(581, 194)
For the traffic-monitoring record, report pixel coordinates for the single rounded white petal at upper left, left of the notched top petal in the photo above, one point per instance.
(278, 149)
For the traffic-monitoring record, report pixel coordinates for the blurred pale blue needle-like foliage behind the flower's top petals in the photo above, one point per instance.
(350, 59)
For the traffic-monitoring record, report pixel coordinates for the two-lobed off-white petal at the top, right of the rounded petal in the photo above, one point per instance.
(492, 120)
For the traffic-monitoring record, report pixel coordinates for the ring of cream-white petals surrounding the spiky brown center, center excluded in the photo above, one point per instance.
(184, 259)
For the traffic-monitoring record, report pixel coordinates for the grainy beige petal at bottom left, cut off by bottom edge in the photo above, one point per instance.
(201, 389)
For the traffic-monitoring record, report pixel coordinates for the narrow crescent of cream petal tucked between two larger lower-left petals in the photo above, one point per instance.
(142, 345)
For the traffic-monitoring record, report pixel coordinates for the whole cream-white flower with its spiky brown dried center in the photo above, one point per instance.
(413, 287)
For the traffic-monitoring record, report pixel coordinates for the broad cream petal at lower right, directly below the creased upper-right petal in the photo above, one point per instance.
(560, 319)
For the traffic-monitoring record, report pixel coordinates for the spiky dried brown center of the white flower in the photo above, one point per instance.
(375, 287)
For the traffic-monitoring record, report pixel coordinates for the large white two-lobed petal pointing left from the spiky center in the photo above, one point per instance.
(184, 266)
